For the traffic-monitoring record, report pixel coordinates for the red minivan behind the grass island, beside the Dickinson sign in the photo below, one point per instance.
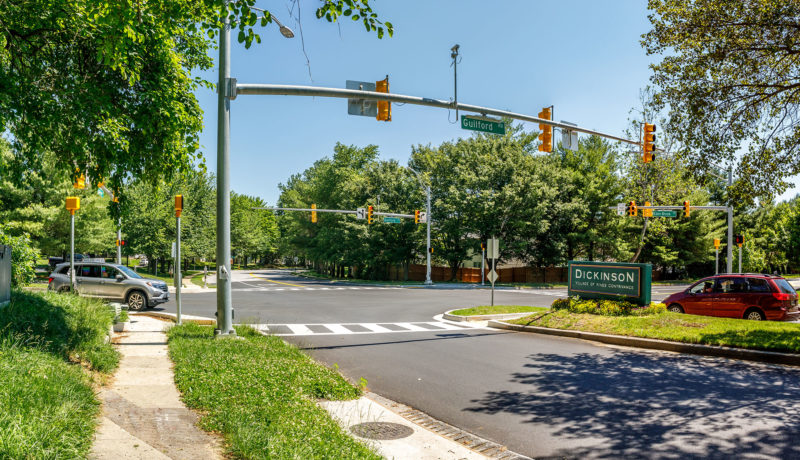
(738, 295)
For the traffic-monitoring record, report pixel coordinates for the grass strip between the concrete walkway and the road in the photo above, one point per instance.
(260, 393)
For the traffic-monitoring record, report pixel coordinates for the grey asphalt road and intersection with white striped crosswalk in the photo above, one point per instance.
(539, 395)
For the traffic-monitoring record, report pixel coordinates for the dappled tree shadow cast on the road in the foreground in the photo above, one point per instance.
(643, 405)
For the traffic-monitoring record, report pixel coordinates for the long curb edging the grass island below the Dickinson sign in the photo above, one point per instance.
(655, 344)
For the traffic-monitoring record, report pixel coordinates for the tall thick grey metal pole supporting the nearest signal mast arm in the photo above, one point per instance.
(224, 96)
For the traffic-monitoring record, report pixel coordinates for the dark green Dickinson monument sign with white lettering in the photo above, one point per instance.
(608, 280)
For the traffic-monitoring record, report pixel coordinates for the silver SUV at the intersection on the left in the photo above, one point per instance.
(112, 282)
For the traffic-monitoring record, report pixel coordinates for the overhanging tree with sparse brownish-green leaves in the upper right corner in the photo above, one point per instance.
(729, 77)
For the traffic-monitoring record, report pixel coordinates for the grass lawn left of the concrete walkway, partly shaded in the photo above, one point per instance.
(52, 346)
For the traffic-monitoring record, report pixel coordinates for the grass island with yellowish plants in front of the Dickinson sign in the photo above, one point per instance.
(678, 327)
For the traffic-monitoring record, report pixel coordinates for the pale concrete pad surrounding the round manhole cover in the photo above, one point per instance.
(422, 444)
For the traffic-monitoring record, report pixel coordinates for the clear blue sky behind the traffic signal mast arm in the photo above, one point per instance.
(584, 57)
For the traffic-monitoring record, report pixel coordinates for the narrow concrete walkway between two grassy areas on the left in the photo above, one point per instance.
(143, 416)
